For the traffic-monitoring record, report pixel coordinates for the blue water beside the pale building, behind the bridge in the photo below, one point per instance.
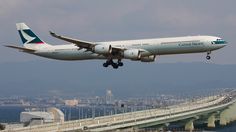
(11, 114)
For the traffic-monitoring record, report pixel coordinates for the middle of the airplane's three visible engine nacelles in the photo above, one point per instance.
(133, 54)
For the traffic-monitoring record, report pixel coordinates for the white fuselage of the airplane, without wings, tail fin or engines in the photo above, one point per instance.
(159, 46)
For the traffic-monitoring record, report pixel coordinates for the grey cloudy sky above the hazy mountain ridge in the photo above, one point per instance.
(105, 20)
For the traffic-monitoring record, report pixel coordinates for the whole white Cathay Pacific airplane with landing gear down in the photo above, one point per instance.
(144, 50)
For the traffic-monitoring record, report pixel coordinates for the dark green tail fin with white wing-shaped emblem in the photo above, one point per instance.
(27, 36)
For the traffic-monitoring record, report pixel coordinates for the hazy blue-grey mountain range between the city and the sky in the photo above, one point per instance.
(86, 79)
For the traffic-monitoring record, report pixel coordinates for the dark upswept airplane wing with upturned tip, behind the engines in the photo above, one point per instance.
(77, 42)
